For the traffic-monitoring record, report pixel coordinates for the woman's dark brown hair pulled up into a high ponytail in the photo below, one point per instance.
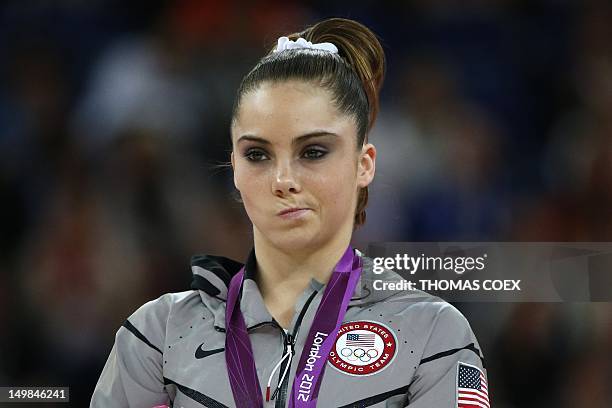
(354, 76)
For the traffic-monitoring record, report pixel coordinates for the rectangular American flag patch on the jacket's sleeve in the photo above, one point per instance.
(472, 388)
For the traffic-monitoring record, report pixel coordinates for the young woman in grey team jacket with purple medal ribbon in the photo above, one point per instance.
(300, 323)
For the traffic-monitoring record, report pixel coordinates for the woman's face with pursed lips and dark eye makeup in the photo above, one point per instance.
(296, 164)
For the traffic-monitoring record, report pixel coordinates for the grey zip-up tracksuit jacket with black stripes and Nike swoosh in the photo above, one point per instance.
(394, 348)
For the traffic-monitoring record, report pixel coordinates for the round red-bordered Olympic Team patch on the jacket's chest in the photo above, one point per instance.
(363, 348)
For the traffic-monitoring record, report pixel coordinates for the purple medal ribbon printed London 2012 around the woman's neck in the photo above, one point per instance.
(319, 341)
